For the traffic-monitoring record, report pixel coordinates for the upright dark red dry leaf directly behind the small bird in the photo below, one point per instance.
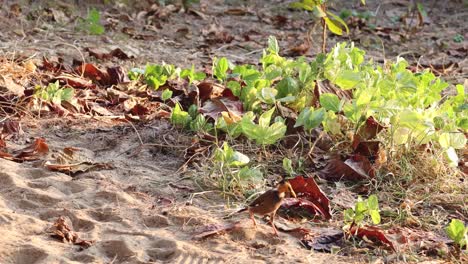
(310, 196)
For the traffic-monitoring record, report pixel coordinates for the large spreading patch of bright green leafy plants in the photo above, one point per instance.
(408, 104)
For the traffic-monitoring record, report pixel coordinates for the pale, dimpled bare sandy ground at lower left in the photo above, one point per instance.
(130, 211)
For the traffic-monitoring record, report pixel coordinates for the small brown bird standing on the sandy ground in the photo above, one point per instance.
(269, 202)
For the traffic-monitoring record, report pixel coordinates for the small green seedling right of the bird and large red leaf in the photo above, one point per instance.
(363, 211)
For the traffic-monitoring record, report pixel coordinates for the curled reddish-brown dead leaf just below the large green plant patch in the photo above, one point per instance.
(355, 168)
